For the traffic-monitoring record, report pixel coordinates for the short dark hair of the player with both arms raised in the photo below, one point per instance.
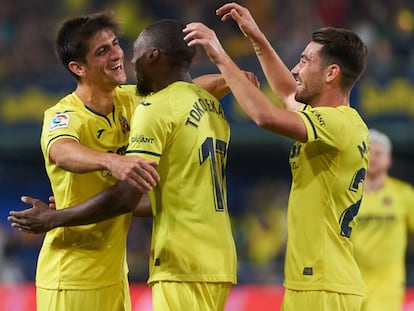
(344, 48)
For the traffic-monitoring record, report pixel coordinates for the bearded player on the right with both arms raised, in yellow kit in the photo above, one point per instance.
(328, 160)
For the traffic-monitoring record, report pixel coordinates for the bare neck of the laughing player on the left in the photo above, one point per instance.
(95, 98)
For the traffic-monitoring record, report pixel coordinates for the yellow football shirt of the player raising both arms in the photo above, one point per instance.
(327, 183)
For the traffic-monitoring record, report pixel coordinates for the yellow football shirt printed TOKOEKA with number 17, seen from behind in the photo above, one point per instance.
(184, 128)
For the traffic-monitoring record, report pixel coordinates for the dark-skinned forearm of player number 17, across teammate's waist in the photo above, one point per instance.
(114, 201)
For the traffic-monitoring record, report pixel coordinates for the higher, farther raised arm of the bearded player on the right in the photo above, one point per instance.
(277, 74)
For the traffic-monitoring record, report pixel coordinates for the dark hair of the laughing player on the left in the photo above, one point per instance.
(74, 34)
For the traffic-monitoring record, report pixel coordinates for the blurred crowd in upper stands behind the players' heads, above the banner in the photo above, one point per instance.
(27, 30)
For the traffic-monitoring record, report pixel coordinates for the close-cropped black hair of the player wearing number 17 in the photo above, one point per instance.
(167, 36)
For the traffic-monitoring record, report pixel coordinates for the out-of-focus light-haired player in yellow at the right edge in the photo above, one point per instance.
(385, 219)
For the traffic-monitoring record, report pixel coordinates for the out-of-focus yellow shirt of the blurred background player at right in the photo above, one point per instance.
(380, 239)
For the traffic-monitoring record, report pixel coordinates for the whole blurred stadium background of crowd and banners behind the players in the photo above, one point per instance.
(32, 80)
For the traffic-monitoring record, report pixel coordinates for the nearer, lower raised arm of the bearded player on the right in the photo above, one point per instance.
(256, 104)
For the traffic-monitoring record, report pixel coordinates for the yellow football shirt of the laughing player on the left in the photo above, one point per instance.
(91, 256)
